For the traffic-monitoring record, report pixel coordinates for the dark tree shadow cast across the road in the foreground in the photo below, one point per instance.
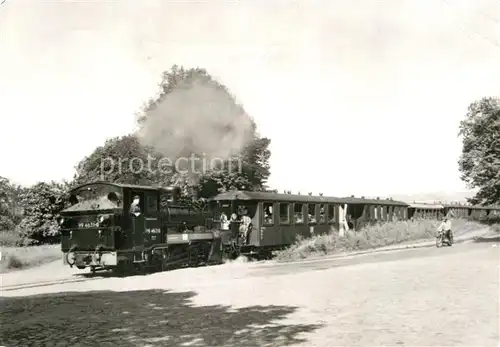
(140, 318)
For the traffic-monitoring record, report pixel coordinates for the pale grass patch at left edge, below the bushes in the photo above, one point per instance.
(14, 257)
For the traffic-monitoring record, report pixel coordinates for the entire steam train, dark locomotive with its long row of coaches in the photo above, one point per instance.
(121, 227)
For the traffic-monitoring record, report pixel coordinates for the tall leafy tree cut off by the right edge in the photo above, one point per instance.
(479, 162)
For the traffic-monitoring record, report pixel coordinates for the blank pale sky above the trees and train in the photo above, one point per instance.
(358, 97)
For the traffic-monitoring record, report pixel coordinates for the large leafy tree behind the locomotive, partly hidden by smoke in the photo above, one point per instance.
(251, 172)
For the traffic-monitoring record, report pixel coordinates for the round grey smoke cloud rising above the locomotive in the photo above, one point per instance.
(201, 119)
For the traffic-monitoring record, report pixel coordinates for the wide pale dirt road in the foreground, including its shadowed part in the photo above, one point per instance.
(420, 297)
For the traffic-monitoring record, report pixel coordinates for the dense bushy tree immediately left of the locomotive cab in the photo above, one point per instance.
(42, 204)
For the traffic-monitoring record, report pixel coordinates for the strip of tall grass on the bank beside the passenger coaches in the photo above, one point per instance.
(371, 237)
